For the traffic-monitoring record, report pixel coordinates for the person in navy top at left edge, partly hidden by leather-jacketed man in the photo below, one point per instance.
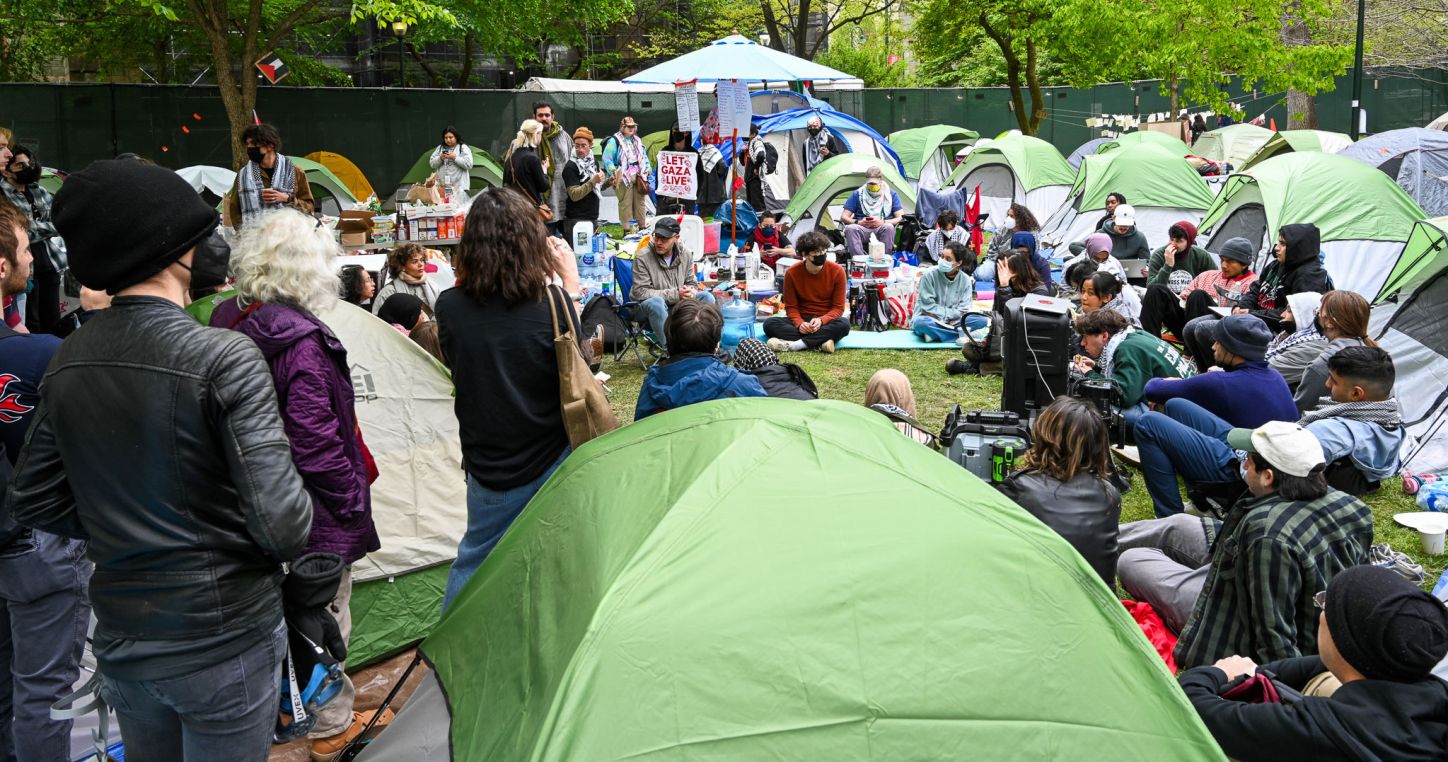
(44, 612)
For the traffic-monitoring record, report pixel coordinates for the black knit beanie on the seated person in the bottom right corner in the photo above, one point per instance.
(1386, 627)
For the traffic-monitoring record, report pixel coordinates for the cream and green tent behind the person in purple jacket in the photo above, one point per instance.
(405, 403)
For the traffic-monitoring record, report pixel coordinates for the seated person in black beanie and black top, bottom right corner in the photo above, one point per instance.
(1381, 637)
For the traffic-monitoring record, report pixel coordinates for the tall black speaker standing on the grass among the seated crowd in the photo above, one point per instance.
(1036, 341)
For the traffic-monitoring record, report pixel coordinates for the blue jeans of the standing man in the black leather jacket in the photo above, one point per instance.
(224, 712)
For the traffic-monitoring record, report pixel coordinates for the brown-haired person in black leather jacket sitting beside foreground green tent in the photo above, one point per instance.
(1065, 482)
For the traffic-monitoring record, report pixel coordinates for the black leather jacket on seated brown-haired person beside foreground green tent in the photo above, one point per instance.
(1084, 511)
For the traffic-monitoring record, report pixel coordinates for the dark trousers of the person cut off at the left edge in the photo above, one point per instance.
(44, 615)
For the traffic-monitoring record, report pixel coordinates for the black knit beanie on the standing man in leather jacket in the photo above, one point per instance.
(125, 221)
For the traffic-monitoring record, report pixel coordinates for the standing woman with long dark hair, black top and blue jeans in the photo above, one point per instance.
(497, 337)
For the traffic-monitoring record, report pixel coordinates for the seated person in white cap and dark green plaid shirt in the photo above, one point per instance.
(1246, 586)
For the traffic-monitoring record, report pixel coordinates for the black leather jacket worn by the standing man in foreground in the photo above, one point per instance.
(160, 441)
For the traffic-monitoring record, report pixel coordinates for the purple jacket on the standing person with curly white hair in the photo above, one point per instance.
(315, 392)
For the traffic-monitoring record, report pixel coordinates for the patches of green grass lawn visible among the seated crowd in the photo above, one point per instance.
(845, 374)
